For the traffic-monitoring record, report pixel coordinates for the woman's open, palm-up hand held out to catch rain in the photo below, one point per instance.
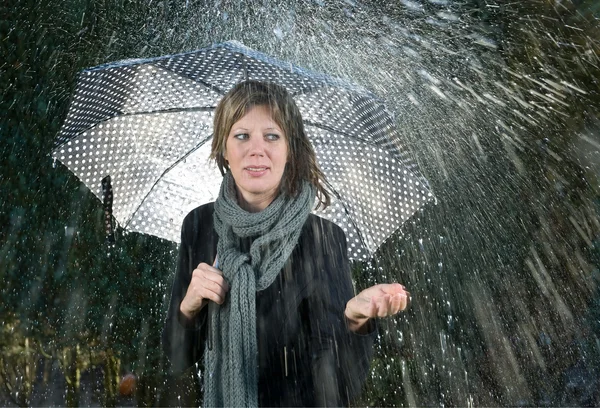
(377, 301)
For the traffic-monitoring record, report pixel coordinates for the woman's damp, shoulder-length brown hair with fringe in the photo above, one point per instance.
(301, 161)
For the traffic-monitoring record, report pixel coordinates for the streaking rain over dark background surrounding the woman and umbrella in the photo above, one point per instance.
(498, 103)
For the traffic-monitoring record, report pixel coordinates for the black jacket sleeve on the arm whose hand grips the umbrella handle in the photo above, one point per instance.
(183, 340)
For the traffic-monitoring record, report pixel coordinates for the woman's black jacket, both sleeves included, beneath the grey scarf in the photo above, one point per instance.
(306, 355)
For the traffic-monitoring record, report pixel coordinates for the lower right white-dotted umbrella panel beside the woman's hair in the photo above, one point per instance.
(374, 193)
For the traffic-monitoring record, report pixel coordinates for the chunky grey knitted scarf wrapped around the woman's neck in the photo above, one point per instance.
(231, 377)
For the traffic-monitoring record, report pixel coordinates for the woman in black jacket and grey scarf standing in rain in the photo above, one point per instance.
(274, 319)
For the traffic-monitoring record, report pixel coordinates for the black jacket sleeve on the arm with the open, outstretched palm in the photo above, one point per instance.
(340, 358)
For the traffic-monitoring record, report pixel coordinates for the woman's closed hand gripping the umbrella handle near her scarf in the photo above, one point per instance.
(207, 284)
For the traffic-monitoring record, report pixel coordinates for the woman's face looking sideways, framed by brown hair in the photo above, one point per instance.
(256, 150)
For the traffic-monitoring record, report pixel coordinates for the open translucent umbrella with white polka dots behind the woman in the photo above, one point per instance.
(143, 127)
